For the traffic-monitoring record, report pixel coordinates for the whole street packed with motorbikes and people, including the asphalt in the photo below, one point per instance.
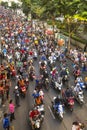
(42, 84)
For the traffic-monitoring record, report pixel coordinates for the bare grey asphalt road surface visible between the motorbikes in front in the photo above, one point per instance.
(50, 122)
